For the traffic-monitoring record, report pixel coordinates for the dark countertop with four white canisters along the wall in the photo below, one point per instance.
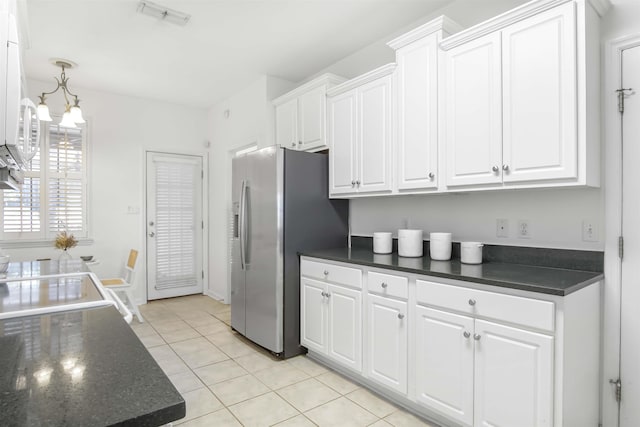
(546, 280)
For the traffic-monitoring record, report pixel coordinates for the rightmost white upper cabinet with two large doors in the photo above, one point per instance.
(516, 90)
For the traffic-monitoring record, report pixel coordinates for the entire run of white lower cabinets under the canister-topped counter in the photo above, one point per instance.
(458, 353)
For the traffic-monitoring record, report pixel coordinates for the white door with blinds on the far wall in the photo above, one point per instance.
(174, 225)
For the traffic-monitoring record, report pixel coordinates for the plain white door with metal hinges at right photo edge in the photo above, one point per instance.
(630, 316)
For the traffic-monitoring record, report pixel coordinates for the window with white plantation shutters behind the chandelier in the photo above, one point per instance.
(53, 196)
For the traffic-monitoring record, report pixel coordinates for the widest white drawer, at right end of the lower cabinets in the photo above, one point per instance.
(523, 311)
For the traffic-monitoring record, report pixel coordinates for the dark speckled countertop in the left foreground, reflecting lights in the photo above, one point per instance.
(81, 368)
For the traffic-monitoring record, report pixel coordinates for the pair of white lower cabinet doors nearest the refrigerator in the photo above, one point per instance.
(331, 321)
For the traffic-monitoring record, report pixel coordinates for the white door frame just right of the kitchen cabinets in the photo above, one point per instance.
(612, 153)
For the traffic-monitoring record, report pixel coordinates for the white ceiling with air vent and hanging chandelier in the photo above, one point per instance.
(226, 45)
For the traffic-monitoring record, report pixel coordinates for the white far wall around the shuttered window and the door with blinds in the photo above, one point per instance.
(121, 128)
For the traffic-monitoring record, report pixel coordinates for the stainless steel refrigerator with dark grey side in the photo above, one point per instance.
(281, 206)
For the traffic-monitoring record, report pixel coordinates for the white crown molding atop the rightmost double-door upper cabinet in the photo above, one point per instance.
(503, 20)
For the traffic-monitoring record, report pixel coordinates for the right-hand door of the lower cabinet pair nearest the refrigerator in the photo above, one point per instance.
(345, 326)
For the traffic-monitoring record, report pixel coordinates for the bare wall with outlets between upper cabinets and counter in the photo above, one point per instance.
(555, 216)
